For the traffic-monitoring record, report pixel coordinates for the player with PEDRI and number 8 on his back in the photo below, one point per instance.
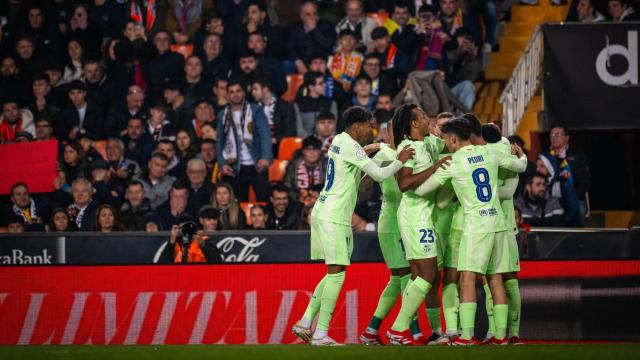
(474, 172)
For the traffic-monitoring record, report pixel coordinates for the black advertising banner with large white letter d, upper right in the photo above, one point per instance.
(591, 75)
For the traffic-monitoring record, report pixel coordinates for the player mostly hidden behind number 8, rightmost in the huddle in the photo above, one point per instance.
(507, 182)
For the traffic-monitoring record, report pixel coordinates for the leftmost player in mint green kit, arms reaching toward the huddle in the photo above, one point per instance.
(331, 233)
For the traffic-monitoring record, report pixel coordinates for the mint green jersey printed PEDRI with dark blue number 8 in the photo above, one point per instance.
(474, 175)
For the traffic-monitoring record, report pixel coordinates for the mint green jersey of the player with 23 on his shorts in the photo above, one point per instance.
(414, 209)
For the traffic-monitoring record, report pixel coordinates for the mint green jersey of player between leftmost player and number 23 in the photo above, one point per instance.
(391, 195)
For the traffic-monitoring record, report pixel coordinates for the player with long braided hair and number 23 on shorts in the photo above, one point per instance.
(411, 128)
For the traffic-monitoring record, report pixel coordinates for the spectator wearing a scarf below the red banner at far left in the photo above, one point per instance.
(35, 212)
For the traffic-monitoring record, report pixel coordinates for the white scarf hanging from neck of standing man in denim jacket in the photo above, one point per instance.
(231, 150)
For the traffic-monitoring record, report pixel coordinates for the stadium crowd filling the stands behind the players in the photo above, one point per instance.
(164, 108)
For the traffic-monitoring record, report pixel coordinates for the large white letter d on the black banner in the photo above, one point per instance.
(630, 53)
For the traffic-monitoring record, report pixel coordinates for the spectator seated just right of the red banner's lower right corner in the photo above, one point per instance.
(82, 210)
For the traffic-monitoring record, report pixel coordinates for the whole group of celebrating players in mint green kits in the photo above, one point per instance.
(447, 215)
